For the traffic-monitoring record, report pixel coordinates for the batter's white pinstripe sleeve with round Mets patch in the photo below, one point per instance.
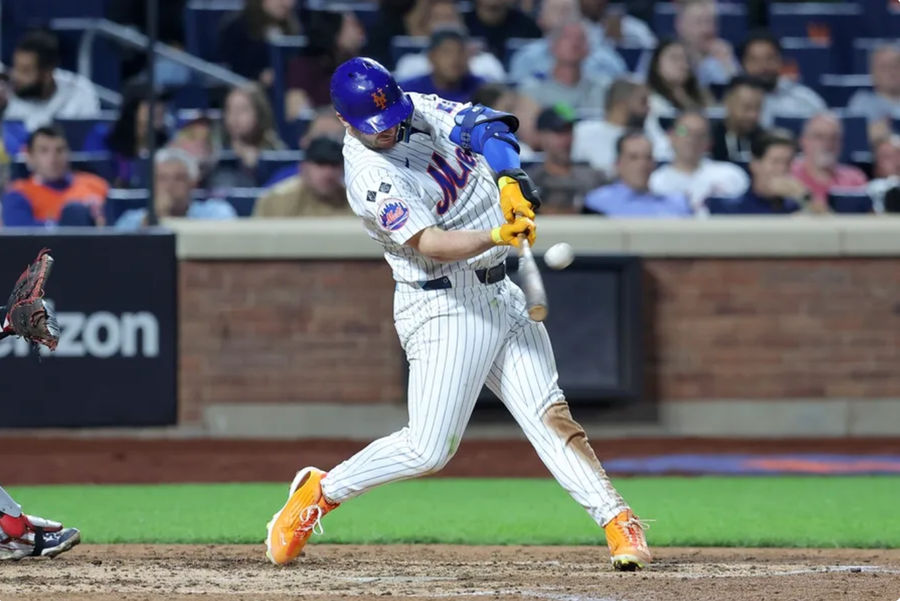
(390, 204)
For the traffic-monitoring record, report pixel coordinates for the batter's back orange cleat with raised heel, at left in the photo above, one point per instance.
(294, 523)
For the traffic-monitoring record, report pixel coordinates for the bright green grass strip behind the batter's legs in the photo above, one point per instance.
(712, 511)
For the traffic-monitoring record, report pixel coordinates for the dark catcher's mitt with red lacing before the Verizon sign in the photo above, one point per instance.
(26, 314)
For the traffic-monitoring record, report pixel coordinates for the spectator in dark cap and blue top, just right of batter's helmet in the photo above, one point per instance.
(450, 77)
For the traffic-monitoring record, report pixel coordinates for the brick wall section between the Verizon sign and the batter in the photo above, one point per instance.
(286, 331)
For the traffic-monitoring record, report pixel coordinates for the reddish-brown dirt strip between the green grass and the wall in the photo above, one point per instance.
(71, 460)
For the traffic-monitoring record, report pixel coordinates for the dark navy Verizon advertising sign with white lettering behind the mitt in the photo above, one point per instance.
(115, 365)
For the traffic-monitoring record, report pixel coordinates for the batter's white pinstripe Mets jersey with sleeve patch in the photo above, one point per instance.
(428, 181)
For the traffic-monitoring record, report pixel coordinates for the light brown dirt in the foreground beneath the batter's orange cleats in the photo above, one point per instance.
(330, 572)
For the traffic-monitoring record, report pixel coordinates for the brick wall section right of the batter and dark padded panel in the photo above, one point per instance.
(768, 329)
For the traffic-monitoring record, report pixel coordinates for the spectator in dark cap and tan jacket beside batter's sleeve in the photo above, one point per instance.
(317, 191)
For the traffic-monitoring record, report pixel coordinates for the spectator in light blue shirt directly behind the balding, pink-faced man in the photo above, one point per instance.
(535, 58)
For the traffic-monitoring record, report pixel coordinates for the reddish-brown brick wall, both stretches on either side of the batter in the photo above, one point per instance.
(287, 331)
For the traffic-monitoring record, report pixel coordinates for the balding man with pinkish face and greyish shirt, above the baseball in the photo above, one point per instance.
(567, 82)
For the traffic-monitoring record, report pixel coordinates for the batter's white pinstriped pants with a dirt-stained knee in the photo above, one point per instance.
(456, 340)
